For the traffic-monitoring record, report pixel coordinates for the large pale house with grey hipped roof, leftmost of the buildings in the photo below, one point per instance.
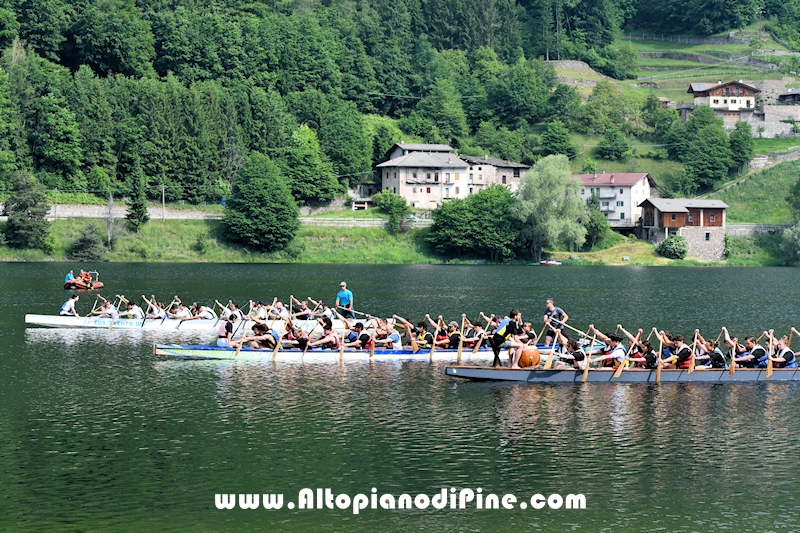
(426, 179)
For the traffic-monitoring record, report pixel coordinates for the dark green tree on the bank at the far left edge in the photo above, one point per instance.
(26, 210)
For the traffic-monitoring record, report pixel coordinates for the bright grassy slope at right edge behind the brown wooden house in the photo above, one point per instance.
(762, 197)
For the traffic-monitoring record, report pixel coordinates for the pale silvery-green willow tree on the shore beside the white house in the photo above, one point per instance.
(549, 208)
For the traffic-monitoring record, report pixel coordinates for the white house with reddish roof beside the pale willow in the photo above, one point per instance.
(620, 194)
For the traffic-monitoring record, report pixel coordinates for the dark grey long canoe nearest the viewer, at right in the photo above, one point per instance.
(479, 373)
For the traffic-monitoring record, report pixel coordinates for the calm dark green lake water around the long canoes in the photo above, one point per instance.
(97, 434)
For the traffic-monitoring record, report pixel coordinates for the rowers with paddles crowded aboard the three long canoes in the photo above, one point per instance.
(498, 333)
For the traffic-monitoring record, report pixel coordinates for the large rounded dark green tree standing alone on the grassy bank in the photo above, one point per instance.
(261, 212)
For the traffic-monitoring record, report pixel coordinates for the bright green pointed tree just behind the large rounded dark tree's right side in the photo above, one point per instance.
(308, 170)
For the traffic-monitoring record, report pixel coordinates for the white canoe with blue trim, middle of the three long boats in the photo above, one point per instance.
(317, 355)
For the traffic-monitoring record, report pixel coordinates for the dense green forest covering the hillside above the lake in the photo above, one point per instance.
(97, 94)
